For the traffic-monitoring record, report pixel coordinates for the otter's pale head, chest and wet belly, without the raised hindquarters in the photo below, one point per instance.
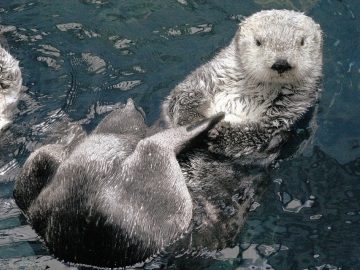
(269, 106)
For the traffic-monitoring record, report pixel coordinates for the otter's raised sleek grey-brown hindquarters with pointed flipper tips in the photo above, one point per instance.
(113, 198)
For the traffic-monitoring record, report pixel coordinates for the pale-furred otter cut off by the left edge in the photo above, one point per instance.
(10, 83)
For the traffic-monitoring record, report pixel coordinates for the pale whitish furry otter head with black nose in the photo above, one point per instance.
(279, 46)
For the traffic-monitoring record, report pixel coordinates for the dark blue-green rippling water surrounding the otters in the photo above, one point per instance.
(81, 59)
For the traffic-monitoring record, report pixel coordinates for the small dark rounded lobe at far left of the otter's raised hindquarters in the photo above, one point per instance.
(37, 172)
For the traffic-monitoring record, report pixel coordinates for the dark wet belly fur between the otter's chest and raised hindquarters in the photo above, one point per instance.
(222, 193)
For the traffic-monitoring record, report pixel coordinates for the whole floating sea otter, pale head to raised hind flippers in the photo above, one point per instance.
(116, 197)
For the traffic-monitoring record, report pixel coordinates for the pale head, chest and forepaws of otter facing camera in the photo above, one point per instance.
(265, 81)
